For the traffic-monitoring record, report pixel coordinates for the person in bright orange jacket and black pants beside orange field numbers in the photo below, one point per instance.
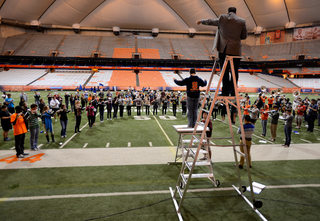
(19, 130)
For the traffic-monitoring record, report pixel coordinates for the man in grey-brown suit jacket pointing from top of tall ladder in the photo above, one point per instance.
(231, 29)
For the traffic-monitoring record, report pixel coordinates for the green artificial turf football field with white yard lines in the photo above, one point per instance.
(279, 203)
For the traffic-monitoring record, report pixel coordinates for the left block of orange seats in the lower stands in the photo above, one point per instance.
(122, 79)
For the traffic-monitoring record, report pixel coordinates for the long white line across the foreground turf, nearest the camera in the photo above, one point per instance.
(26, 198)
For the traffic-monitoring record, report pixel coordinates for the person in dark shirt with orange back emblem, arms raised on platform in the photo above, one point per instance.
(193, 83)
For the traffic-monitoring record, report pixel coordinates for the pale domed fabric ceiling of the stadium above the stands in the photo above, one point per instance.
(163, 14)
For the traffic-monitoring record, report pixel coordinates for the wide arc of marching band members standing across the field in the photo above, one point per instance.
(25, 117)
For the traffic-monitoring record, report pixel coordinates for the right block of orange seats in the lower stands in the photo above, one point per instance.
(151, 79)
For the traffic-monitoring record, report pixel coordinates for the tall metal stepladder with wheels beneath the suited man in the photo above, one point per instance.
(184, 179)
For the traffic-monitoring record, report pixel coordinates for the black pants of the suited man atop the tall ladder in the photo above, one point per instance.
(227, 85)
